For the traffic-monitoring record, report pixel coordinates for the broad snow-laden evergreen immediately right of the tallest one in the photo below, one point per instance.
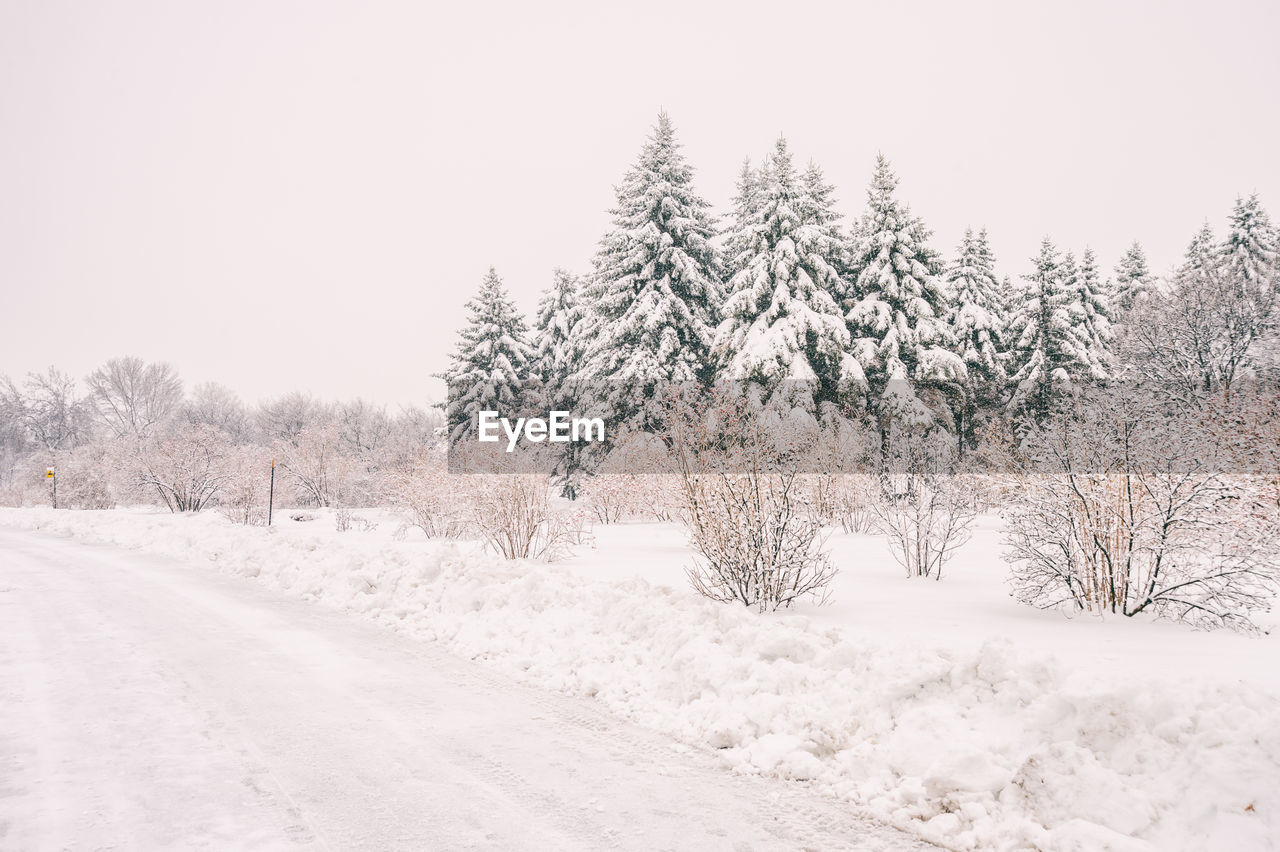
(781, 319)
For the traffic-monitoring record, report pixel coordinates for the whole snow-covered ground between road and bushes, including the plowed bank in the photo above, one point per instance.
(944, 708)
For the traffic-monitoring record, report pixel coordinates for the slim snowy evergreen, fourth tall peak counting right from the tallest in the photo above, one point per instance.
(977, 320)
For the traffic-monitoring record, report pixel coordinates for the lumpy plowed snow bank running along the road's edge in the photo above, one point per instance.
(980, 750)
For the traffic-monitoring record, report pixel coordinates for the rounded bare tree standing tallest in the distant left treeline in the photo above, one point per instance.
(134, 398)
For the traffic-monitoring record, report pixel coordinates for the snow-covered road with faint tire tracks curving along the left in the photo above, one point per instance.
(147, 704)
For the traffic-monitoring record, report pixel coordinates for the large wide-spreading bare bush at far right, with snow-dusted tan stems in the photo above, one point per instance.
(1137, 512)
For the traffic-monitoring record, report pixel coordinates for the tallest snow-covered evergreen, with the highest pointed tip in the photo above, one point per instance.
(651, 301)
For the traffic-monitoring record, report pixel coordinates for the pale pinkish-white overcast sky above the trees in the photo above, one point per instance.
(303, 195)
